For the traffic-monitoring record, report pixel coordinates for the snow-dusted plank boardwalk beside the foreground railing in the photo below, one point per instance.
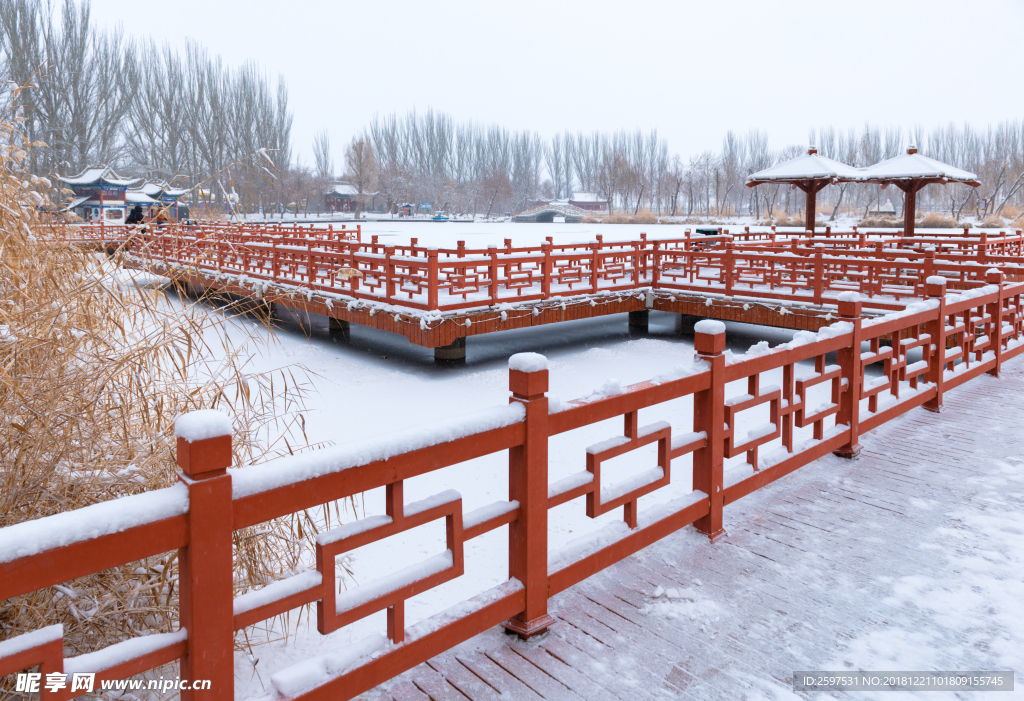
(906, 559)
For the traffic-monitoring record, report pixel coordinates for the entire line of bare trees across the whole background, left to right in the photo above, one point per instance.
(97, 97)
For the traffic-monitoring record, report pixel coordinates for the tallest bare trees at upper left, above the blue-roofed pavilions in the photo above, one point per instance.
(96, 97)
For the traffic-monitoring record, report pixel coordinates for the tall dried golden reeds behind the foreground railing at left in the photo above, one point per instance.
(96, 365)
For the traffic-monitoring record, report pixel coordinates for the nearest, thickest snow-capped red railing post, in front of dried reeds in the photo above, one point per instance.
(205, 565)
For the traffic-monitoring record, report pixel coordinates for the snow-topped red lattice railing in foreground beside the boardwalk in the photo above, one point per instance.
(877, 378)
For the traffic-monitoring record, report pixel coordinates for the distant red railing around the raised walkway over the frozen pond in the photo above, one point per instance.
(452, 280)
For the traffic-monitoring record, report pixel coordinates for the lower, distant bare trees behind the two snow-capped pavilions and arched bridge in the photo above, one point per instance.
(464, 167)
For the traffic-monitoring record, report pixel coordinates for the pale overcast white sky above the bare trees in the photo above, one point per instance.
(692, 70)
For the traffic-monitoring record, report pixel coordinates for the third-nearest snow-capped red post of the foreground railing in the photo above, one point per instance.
(709, 417)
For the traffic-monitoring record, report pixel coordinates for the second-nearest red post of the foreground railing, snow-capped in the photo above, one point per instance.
(529, 487)
